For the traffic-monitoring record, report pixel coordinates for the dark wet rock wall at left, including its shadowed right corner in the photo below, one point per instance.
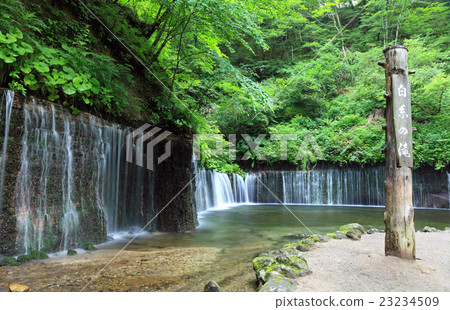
(67, 182)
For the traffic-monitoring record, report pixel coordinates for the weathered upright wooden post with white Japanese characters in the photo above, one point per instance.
(399, 214)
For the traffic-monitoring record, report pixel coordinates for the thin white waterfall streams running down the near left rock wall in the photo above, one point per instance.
(73, 184)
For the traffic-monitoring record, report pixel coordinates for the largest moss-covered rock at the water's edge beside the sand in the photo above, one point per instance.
(288, 262)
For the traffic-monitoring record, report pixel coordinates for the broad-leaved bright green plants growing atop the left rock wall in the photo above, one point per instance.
(69, 72)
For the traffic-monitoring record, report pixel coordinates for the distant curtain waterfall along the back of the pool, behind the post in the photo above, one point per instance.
(325, 186)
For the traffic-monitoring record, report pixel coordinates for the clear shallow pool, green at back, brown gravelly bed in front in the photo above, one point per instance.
(221, 249)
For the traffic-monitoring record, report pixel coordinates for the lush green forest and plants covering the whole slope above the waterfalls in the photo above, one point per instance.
(300, 67)
